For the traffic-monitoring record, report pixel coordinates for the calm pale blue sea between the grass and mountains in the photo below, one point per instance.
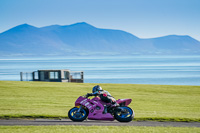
(166, 70)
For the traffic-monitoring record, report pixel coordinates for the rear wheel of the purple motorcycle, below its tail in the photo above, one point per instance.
(124, 114)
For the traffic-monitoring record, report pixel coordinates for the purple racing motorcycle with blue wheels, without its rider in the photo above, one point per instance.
(96, 109)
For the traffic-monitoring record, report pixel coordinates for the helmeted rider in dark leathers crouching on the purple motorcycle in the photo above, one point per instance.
(103, 94)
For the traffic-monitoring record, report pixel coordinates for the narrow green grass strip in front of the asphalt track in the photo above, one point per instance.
(96, 129)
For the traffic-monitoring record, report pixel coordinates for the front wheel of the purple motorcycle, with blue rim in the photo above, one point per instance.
(74, 115)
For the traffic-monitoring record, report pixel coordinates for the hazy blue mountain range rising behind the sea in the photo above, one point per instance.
(85, 39)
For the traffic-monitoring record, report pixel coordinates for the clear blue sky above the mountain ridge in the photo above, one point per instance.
(142, 18)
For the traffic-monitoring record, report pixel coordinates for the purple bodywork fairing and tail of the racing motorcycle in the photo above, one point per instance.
(96, 108)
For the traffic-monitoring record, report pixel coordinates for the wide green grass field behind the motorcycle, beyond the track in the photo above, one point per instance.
(50, 100)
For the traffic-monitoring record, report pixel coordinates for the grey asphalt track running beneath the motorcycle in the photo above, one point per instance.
(40, 122)
